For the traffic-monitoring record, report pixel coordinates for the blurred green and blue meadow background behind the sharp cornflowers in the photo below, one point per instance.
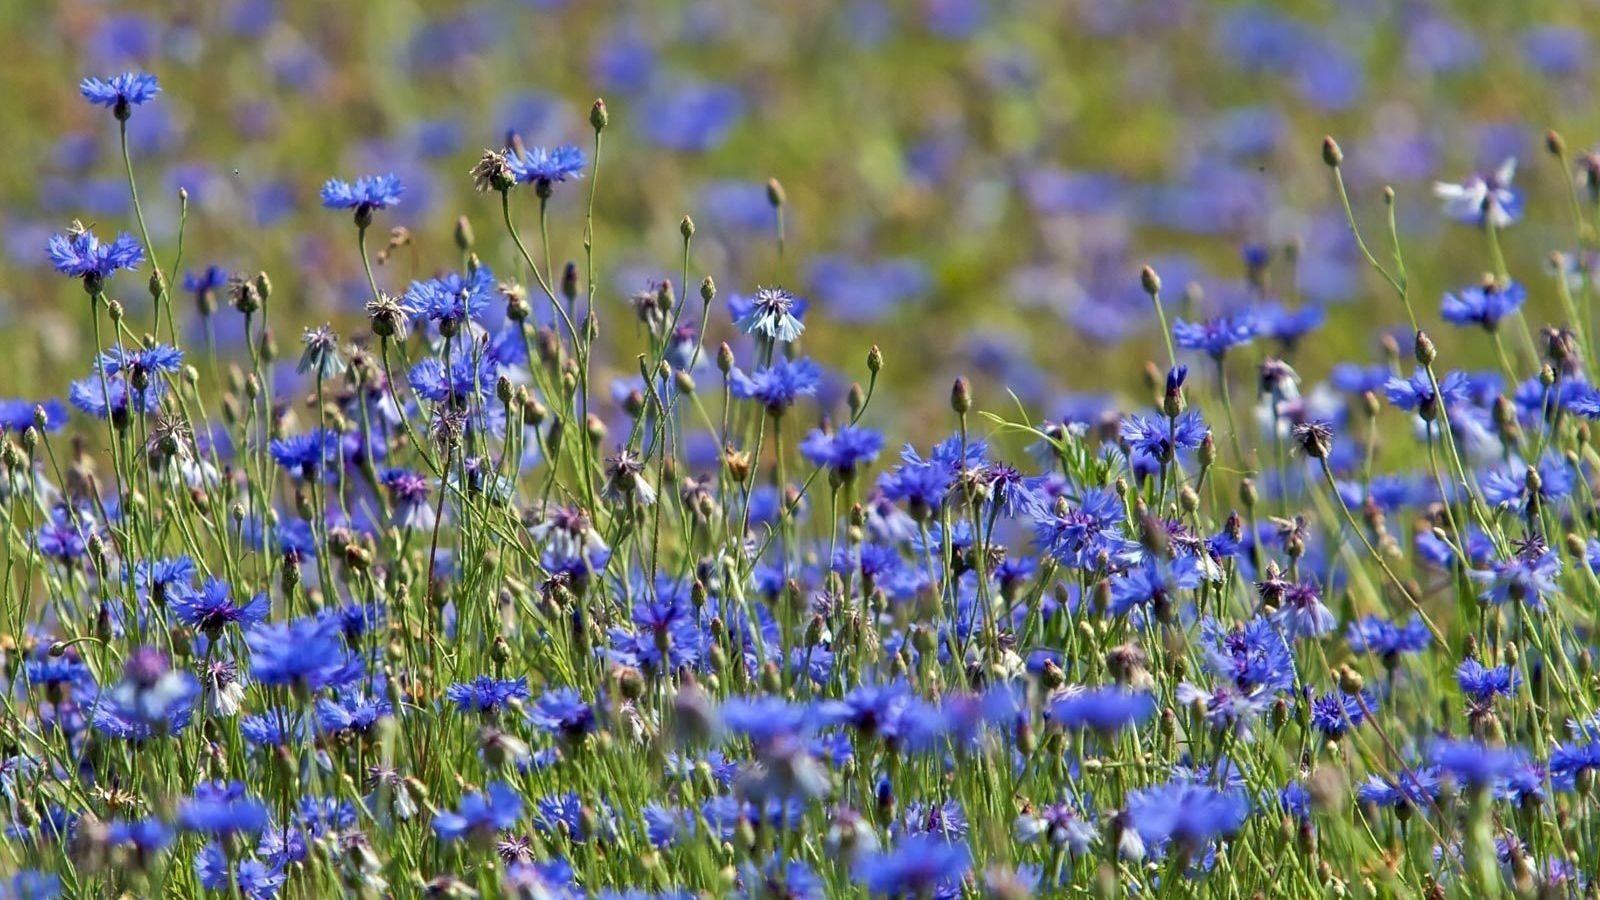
(972, 185)
